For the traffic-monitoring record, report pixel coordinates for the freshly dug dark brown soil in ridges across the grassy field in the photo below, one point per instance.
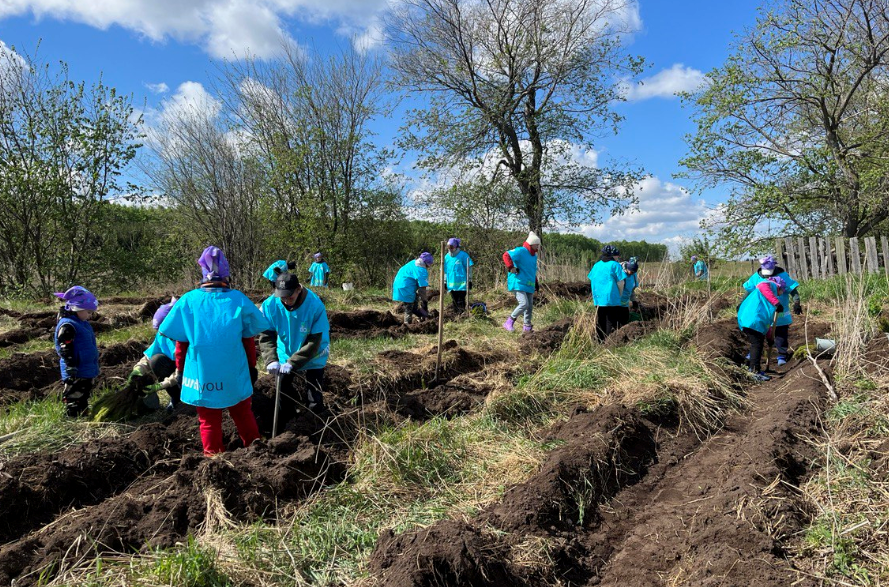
(622, 499)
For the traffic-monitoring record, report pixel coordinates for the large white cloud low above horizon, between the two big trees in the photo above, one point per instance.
(665, 213)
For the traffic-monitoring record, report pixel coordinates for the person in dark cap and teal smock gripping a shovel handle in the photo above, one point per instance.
(298, 341)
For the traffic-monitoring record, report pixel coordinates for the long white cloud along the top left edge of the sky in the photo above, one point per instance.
(223, 27)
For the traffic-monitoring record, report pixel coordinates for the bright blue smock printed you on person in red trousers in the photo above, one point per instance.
(213, 322)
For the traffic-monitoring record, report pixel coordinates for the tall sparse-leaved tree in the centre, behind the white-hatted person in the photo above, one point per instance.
(514, 87)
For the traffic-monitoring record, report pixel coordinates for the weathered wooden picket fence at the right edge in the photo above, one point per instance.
(819, 258)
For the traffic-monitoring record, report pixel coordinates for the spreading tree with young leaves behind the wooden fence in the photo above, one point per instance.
(796, 123)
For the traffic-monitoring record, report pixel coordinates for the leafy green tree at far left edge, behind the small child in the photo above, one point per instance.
(64, 148)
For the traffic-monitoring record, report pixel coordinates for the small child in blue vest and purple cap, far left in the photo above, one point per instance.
(75, 343)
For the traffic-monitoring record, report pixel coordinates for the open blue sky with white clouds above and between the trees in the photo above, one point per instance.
(159, 50)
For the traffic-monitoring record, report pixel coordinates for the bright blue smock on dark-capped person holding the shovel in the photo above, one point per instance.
(293, 327)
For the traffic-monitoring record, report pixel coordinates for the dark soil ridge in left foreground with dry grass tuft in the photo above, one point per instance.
(166, 503)
